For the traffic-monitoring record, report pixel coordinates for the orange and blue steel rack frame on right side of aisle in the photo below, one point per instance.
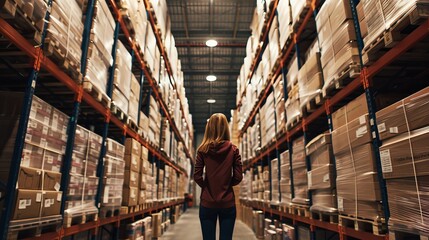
(363, 83)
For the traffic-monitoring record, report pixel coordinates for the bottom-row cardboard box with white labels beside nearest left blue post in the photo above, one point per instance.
(27, 204)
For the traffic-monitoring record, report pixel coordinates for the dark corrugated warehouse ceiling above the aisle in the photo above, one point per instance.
(193, 22)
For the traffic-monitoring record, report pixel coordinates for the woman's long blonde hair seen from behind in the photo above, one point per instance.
(217, 131)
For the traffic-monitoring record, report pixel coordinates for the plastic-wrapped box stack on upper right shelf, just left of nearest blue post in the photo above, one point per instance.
(337, 38)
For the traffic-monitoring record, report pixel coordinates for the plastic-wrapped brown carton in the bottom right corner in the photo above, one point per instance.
(408, 203)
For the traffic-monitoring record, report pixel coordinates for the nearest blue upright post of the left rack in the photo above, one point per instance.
(20, 138)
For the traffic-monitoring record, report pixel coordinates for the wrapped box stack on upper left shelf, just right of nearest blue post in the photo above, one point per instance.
(64, 34)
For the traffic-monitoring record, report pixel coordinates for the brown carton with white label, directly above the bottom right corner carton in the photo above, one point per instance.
(406, 155)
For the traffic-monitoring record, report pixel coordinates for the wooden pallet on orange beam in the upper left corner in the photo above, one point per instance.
(21, 21)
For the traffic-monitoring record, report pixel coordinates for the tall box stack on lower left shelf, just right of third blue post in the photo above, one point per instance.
(113, 179)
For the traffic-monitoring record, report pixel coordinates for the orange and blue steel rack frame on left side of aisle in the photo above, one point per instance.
(40, 62)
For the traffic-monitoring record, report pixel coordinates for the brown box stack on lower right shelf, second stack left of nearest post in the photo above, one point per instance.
(321, 177)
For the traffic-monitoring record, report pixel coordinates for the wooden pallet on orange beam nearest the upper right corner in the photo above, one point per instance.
(389, 38)
